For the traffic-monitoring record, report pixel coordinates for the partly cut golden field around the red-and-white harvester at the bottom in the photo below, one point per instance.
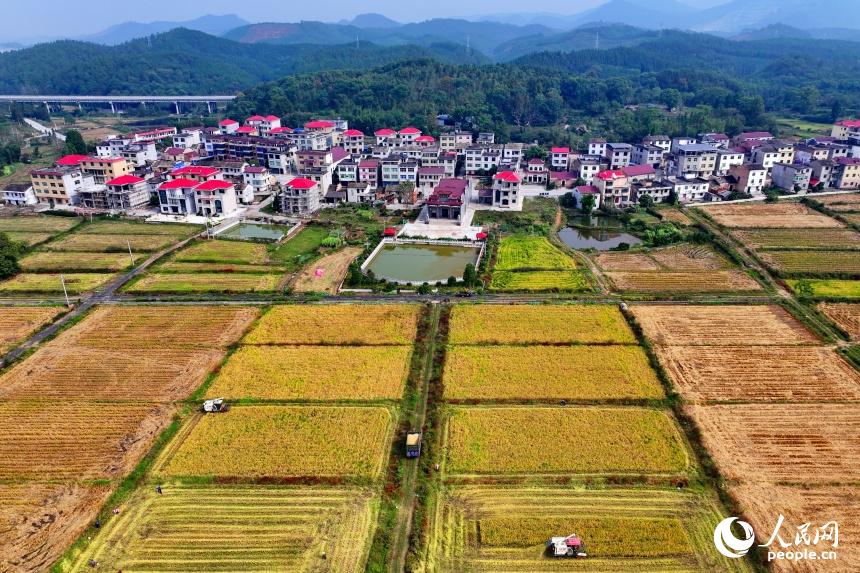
(487, 529)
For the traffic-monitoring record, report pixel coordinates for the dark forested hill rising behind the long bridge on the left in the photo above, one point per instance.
(186, 62)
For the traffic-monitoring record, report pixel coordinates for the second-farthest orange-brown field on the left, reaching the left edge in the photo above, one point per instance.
(57, 372)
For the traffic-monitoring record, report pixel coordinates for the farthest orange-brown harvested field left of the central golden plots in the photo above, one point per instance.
(160, 327)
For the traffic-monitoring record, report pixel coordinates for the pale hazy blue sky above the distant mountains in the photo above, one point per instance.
(29, 18)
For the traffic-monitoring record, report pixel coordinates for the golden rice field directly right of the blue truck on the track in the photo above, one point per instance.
(552, 440)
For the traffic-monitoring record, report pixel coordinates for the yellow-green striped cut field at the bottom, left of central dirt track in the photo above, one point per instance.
(245, 528)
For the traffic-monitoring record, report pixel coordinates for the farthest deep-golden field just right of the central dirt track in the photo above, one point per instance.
(538, 324)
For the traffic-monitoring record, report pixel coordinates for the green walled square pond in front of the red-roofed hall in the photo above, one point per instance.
(422, 263)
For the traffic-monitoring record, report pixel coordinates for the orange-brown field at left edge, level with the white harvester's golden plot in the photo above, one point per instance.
(76, 440)
